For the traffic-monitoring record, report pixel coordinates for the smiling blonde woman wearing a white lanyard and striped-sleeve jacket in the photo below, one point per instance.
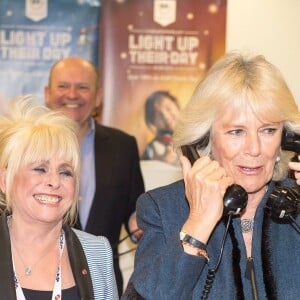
(41, 256)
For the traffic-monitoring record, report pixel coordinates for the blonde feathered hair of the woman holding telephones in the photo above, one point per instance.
(235, 81)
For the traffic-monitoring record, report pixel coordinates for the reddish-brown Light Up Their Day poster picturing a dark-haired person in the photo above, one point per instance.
(153, 54)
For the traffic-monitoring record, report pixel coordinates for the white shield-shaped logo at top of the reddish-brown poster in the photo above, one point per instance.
(164, 12)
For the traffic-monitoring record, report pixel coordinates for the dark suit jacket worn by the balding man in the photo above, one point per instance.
(119, 182)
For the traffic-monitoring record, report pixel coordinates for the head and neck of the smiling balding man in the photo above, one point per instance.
(73, 88)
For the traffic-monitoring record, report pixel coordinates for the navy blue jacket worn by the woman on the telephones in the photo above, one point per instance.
(162, 270)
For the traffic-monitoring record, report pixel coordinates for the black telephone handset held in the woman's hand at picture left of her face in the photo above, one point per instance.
(235, 198)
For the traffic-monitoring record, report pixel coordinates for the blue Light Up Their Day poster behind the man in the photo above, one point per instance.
(34, 34)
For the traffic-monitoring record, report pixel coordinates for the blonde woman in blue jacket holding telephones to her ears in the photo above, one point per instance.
(234, 123)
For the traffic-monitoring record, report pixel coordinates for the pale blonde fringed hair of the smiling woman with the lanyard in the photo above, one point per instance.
(32, 133)
